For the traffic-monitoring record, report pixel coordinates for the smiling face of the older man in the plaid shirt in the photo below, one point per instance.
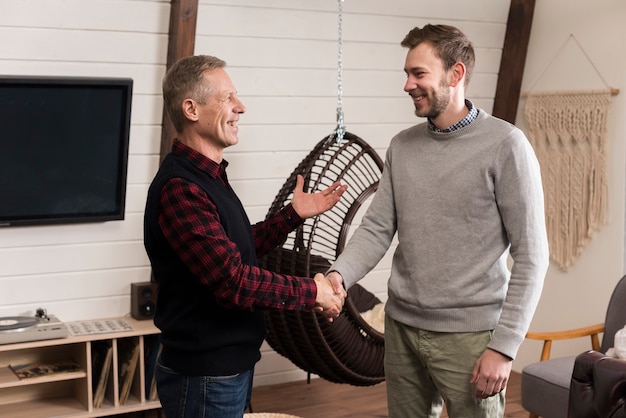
(218, 117)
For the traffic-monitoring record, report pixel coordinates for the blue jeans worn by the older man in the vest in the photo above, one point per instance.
(203, 396)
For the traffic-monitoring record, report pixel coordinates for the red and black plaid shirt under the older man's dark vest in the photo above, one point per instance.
(191, 223)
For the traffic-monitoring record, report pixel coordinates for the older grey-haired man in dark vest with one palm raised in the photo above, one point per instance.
(204, 252)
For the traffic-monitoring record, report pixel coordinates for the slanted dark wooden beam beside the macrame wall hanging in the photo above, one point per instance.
(513, 59)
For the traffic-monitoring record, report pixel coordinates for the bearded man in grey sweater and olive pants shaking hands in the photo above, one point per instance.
(463, 192)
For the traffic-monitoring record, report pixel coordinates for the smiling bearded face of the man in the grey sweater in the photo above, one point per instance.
(427, 81)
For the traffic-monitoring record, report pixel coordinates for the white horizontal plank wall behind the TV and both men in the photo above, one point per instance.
(282, 57)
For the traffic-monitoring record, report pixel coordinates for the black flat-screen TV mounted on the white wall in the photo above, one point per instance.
(63, 149)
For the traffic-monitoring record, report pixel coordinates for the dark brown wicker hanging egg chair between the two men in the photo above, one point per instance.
(349, 350)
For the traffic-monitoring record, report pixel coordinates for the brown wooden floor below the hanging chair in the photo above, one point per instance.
(321, 398)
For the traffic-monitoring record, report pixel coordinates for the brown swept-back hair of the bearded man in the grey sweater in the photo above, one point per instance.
(449, 43)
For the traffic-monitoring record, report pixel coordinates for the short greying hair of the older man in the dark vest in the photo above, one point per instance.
(184, 80)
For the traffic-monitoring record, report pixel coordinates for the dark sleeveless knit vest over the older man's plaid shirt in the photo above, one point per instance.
(200, 337)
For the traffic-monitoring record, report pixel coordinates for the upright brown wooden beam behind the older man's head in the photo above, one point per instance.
(181, 43)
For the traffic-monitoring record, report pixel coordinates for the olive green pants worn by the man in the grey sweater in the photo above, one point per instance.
(423, 369)
